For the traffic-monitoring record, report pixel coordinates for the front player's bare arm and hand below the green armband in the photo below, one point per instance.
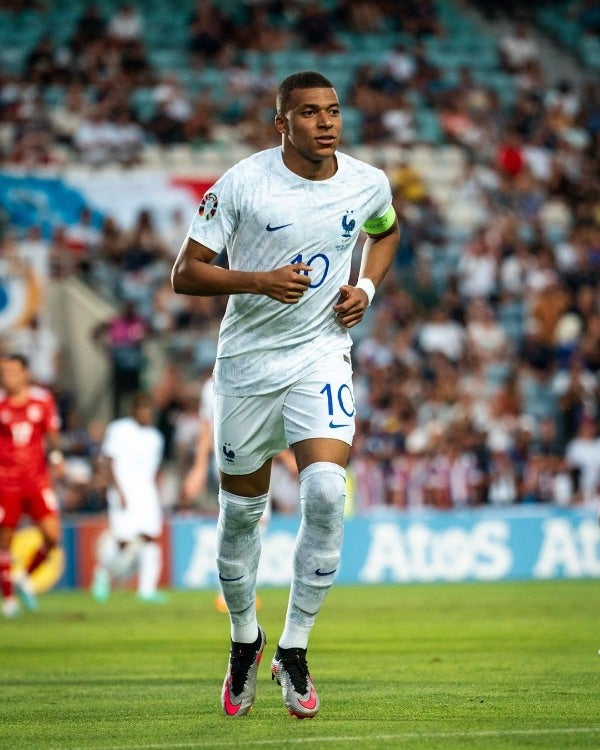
(377, 257)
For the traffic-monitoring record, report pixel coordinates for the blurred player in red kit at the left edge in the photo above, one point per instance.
(29, 425)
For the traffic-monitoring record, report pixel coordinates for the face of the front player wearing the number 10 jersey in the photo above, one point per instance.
(312, 124)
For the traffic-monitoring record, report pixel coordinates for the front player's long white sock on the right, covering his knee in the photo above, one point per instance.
(318, 548)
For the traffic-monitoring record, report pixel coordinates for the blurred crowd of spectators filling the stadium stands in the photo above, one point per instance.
(477, 369)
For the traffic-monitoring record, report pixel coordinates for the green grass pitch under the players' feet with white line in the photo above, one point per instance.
(507, 665)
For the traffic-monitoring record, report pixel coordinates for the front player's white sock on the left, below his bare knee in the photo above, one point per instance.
(238, 555)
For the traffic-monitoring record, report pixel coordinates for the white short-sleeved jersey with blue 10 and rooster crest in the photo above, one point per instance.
(265, 216)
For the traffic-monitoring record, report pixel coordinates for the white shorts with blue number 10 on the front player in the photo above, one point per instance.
(250, 430)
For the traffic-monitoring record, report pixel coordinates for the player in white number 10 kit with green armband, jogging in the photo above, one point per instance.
(289, 218)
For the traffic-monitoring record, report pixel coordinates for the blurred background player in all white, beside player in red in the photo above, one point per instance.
(132, 452)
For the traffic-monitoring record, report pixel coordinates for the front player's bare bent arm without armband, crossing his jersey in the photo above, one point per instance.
(193, 273)
